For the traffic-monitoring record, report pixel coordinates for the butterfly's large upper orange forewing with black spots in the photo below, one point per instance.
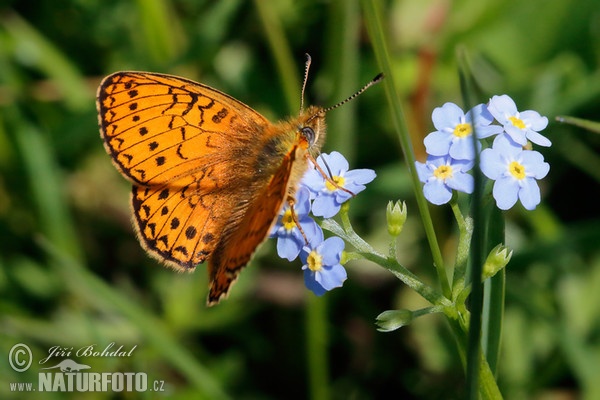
(158, 128)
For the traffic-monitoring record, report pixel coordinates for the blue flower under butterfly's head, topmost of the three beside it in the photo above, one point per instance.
(328, 198)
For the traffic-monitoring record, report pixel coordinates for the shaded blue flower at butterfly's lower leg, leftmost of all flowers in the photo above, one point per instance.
(289, 237)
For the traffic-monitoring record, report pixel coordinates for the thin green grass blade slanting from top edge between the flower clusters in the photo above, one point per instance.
(375, 29)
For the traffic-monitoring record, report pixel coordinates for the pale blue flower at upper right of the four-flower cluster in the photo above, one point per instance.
(520, 126)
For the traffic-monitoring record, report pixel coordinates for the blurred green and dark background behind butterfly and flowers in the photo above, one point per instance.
(72, 273)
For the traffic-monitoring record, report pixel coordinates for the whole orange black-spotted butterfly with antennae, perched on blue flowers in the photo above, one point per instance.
(209, 174)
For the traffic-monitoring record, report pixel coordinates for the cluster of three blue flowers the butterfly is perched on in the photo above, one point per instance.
(297, 232)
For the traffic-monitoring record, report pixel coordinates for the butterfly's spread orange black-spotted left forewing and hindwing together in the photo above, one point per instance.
(175, 139)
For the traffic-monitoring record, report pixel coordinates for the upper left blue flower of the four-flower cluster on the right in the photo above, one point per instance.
(455, 130)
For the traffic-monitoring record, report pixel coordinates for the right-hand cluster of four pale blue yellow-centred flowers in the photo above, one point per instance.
(513, 168)
